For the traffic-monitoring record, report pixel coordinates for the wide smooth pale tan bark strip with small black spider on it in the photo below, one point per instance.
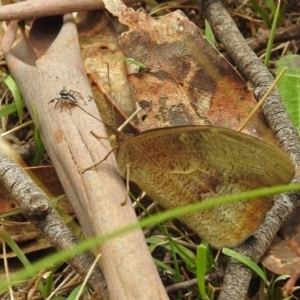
(126, 262)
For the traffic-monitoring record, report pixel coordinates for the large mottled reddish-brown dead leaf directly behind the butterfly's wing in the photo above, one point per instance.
(187, 81)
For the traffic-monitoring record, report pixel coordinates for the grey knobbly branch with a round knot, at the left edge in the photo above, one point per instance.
(36, 207)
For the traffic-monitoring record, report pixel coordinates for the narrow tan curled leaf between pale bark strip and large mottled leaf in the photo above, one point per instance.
(104, 62)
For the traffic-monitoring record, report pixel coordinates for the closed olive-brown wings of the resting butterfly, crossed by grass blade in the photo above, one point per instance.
(177, 166)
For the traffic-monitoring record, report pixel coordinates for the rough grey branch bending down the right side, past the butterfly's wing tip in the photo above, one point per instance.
(237, 276)
